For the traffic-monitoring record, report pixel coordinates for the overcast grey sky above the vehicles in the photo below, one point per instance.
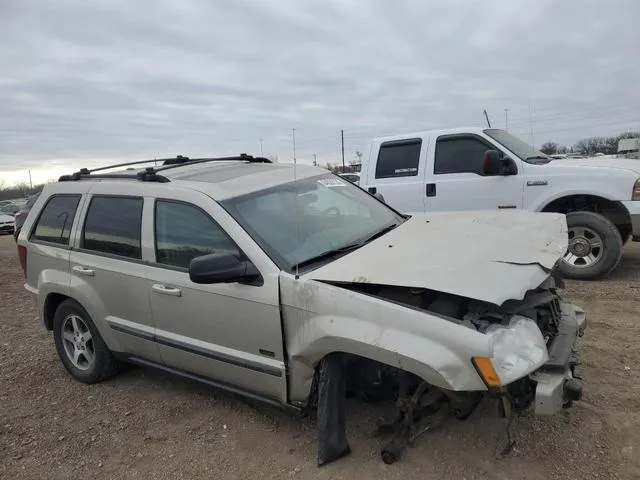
(87, 82)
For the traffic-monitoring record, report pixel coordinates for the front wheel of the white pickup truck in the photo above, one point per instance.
(595, 246)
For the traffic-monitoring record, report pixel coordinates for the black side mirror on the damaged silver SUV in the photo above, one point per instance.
(221, 268)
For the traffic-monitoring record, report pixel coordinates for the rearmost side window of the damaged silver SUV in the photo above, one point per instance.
(56, 219)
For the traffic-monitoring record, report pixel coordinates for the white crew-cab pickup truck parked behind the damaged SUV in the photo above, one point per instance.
(488, 168)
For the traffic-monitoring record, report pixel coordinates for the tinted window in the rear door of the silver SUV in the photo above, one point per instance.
(113, 226)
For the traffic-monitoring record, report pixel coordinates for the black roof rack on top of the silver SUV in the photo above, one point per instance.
(150, 174)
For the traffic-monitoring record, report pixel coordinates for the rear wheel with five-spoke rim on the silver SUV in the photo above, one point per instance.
(95, 362)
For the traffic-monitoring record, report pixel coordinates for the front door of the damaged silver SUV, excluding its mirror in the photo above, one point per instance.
(229, 333)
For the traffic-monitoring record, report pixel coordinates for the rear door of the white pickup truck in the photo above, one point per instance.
(398, 174)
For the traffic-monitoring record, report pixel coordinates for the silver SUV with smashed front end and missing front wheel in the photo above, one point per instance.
(293, 286)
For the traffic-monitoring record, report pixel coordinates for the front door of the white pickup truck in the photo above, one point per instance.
(455, 179)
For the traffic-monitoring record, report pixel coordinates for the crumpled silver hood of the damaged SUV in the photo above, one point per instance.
(486, 255)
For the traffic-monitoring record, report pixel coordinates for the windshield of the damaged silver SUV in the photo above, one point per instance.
(298, 221)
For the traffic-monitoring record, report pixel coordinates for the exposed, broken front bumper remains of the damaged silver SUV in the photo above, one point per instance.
(555, 383)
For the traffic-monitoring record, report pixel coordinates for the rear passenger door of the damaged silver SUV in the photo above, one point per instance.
(108, 275)
